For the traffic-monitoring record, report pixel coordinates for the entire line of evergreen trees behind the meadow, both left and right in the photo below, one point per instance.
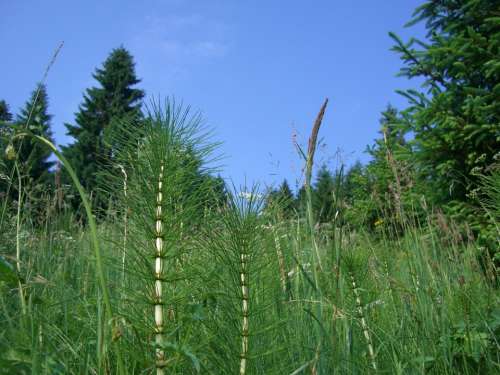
(430, 154)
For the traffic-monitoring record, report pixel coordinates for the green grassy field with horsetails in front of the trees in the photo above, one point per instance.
(172, 289)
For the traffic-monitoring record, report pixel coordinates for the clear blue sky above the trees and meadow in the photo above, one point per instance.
(259, 70)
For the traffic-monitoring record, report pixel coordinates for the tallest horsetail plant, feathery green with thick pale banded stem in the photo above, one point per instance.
(166, 162)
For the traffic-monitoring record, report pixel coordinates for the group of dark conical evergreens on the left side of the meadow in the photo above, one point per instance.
(114, 101)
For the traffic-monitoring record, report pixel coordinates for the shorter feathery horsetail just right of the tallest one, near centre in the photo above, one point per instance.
(245, 287)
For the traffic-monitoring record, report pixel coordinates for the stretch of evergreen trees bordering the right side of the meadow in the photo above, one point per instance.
(434, 154)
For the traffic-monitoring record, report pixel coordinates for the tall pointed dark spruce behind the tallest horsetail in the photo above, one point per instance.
(115, 101)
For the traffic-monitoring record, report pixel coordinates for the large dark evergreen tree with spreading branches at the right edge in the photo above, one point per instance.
(456, 121)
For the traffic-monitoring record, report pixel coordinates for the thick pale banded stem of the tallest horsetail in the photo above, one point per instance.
(158, 271)
